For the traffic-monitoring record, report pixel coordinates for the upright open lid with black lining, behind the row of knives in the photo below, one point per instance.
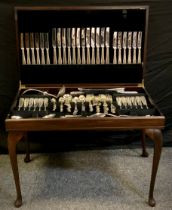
(130, 20)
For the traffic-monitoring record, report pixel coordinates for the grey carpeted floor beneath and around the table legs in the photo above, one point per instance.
(104, 179)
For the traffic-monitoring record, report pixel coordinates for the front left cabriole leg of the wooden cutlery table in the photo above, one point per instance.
(13, 139)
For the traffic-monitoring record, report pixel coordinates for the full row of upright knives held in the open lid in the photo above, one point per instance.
(89, 45)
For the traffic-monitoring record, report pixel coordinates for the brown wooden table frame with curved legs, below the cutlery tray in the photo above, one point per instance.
(150, 126)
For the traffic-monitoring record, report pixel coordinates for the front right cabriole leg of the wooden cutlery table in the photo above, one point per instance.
(156, 136)
